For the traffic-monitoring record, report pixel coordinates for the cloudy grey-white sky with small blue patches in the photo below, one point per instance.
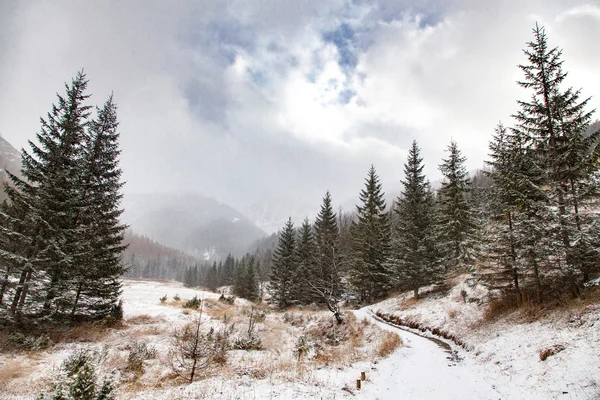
(263, 103)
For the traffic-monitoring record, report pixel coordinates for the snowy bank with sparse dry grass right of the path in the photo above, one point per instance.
(506, 351)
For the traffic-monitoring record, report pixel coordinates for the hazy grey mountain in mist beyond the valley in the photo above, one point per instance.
(193, 223)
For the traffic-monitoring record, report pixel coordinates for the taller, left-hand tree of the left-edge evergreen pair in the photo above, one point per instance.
(49, 202)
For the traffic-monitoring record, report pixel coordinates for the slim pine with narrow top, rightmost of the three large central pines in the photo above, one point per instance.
(457, 221)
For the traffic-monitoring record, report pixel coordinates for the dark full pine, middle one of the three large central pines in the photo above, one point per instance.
(415, 259)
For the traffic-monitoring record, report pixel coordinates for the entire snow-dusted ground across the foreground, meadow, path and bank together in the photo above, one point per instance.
(502, 360)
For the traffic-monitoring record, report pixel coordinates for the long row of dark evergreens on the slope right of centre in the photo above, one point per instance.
(527, 225)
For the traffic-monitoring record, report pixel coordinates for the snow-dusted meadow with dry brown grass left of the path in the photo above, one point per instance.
(325, 371)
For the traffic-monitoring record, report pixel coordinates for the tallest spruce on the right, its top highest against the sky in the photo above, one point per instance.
(554, 122)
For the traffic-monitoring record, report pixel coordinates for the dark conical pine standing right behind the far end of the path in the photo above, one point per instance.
(371, 243)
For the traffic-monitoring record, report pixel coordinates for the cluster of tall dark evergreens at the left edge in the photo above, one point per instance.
(60, 235)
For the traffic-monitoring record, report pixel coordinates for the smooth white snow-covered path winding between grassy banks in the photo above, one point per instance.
(423, 370)
